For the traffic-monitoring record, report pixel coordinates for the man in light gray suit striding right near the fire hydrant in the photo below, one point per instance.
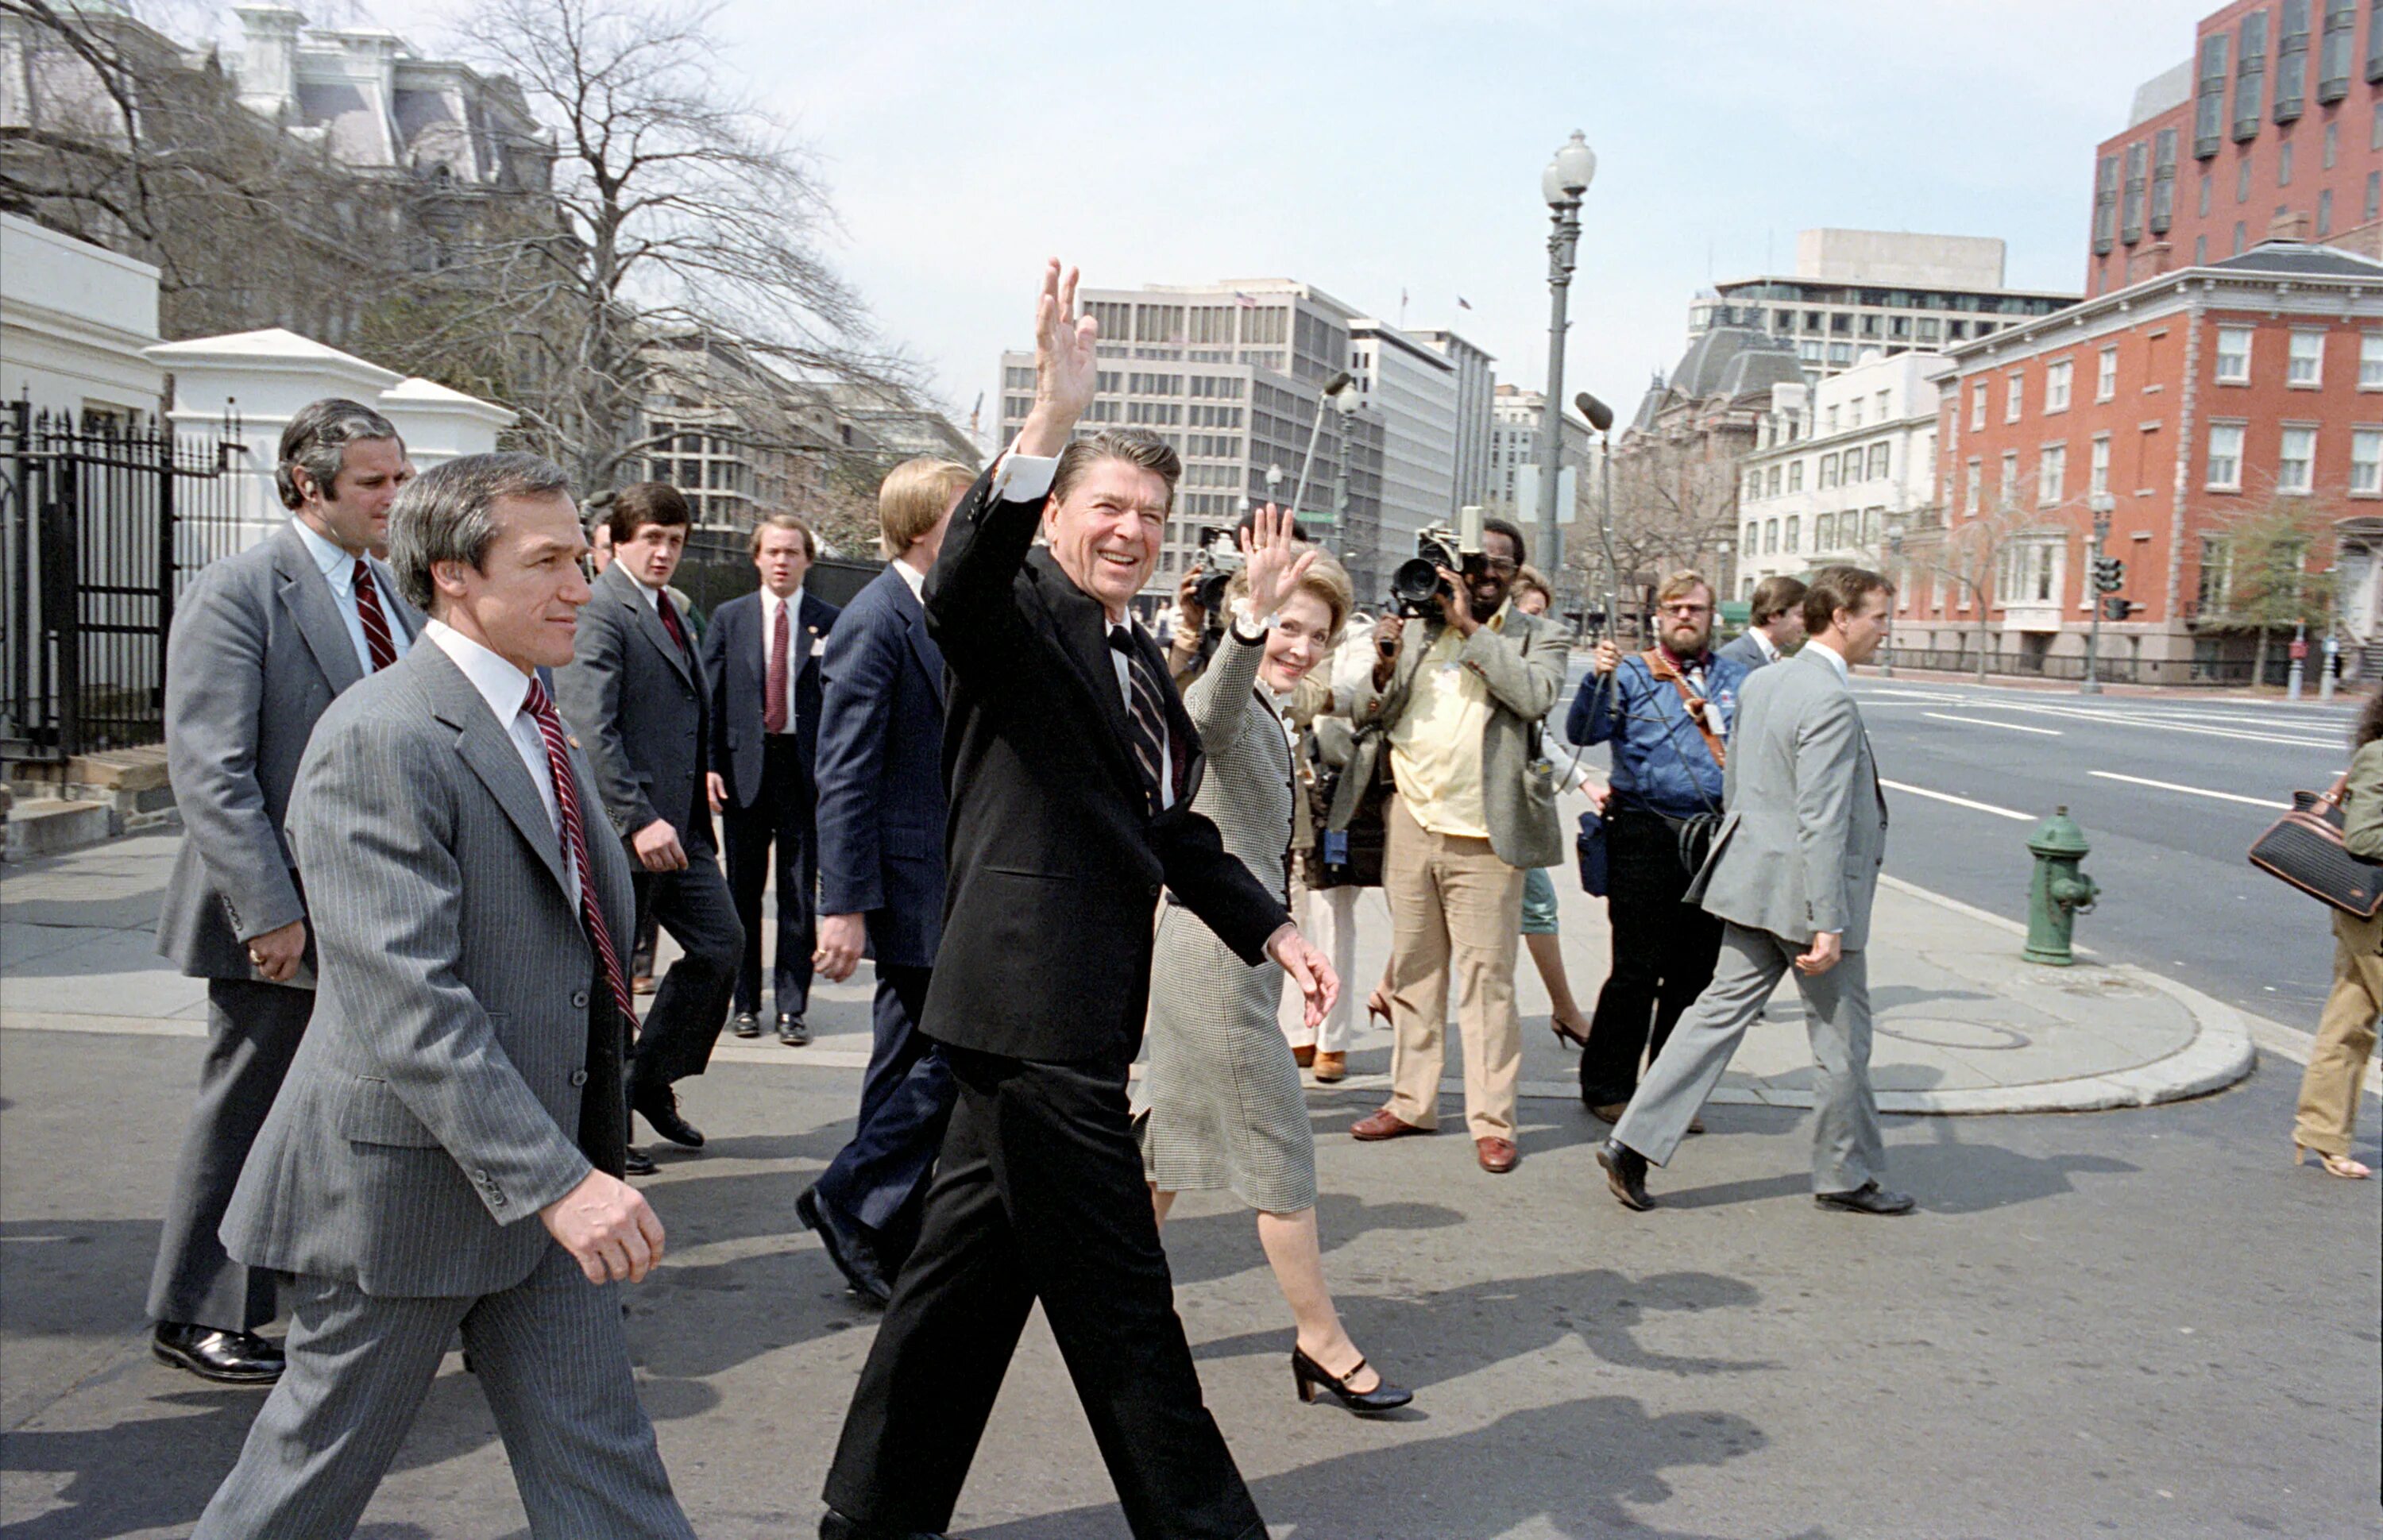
(1793, 874)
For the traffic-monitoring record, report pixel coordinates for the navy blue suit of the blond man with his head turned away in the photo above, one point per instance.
(883, 857)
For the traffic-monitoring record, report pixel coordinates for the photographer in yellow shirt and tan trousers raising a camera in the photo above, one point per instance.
(1460, 707)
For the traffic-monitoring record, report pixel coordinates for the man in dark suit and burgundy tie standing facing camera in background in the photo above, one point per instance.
(761, 664)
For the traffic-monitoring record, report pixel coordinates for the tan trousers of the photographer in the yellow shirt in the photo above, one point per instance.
(1455, 912)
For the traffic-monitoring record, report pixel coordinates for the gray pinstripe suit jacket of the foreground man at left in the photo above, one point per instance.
(435, 1105)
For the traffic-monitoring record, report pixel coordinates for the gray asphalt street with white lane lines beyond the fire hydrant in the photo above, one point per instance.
(1972, 771)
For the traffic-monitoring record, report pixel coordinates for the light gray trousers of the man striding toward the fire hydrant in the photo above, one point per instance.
(1846, 1145)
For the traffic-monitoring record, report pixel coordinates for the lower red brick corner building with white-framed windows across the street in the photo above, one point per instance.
(2191, 402)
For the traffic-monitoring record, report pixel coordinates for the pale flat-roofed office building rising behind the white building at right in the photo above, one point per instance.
(1855, 292)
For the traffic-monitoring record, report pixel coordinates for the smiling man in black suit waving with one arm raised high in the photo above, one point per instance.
(1071, 769)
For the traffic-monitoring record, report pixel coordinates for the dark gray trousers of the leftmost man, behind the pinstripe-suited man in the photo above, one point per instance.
(251, 1038)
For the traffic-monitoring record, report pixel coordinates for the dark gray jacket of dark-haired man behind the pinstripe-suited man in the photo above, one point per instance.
(637, 704)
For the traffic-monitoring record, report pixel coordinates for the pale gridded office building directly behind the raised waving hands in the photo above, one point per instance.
(1233, 375)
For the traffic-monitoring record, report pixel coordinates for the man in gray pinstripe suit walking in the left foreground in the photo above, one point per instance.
(447, 1150)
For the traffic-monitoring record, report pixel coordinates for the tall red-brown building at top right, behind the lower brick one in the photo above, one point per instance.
(2275, 128)
